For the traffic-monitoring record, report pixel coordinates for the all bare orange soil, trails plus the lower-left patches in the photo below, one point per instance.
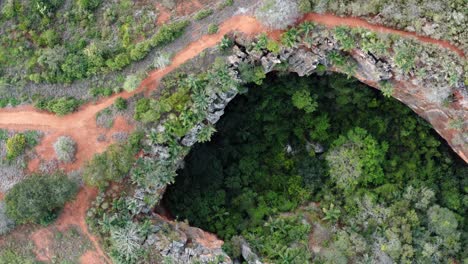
(81, 125)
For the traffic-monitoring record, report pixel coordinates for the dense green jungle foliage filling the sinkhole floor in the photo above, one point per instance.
(388, 186)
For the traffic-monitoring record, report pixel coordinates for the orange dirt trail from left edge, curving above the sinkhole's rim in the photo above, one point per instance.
(81, 125)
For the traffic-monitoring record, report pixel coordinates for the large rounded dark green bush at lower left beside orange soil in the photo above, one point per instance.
(39, 198)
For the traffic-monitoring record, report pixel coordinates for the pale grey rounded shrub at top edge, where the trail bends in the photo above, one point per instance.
(278, 14)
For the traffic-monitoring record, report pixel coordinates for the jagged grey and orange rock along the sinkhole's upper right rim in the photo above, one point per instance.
(424, 95)
